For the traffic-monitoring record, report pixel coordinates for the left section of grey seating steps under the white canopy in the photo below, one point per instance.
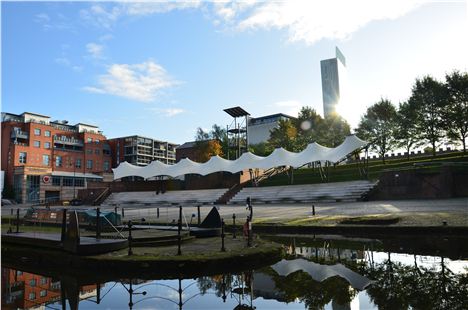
(203, 196)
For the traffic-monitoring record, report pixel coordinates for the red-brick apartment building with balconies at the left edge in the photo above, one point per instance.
(51, 160)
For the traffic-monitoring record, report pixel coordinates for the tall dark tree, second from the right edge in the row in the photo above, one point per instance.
(428, 97)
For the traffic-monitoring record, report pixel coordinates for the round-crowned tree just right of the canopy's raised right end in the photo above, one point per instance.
(377, 126)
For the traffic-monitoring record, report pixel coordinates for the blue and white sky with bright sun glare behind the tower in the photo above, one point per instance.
(162, 69)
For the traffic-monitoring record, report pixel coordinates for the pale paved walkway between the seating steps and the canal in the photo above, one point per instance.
(289, 211)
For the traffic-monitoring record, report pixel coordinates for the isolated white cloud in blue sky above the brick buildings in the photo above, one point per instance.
(141, 82)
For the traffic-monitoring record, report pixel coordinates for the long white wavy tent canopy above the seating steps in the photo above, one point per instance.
(280, 157)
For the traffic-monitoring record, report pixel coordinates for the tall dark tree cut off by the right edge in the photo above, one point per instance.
(455, 113)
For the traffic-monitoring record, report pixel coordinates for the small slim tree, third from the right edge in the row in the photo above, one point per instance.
(405, 131)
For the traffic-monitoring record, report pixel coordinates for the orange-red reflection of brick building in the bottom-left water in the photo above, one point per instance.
(26, 290)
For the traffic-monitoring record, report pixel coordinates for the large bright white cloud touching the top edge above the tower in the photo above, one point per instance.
(311, 21)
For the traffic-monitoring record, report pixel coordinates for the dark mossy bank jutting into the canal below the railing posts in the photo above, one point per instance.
(202, 256)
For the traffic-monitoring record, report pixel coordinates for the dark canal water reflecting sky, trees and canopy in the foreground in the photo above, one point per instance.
(319, 272)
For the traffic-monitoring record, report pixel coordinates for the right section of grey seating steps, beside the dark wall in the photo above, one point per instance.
(325, 192)
